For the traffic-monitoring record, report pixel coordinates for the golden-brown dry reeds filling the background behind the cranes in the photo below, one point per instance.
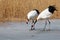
(16, 10)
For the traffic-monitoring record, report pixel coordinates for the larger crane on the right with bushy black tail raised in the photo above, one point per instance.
(46, 14)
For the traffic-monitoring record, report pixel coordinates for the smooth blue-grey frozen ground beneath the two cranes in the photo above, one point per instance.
(20, 31)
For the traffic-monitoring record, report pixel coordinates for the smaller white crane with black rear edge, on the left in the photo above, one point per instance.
(31, 16)
